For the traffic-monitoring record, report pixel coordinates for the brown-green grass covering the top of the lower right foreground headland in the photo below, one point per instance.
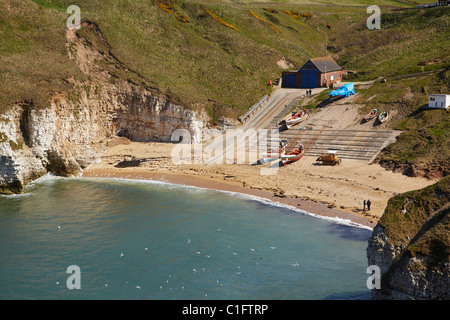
(419, 222)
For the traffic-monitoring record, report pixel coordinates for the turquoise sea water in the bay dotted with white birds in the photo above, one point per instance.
(146, 240)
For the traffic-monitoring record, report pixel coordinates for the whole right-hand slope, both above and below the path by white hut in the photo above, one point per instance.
(409, 42)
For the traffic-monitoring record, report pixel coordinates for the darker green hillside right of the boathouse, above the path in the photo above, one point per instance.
(406, 40)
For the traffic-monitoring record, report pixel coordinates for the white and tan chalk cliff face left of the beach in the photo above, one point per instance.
(71, 133)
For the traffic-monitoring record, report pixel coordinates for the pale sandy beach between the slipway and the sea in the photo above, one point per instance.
(329, 191)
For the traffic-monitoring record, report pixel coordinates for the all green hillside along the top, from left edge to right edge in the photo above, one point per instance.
(204, 64)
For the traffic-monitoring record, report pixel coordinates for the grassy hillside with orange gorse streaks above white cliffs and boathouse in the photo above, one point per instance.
(219, 56)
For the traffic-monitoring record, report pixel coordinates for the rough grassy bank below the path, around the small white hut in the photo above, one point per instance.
(426, 137)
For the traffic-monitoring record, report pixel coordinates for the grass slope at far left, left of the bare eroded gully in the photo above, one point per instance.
(32, 52)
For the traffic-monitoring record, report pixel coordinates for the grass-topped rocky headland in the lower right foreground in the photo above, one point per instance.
(411, 245)
